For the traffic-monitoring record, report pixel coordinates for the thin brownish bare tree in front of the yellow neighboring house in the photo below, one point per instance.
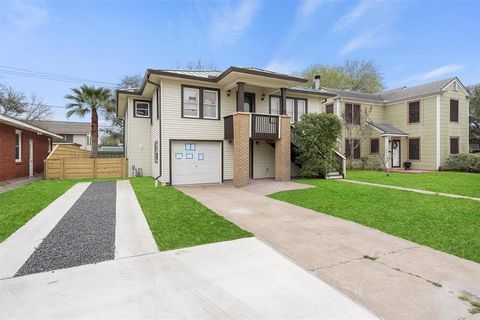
(356, 128)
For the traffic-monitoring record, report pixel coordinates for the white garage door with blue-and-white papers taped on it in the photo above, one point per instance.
(196, 162)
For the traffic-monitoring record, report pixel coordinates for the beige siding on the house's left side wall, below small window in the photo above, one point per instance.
(138, 142)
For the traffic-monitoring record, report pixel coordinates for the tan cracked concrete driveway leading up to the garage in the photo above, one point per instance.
(394, 278)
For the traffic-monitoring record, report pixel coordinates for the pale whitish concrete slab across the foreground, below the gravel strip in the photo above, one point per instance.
(241, 279)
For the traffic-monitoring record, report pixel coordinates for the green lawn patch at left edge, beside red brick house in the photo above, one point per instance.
(18, 206)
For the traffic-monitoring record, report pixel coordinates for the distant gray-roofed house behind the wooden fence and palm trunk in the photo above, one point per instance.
(71, 132)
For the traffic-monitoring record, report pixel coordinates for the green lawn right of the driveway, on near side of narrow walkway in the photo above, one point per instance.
(447, 224)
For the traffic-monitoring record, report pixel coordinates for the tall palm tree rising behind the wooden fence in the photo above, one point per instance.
(86, 100)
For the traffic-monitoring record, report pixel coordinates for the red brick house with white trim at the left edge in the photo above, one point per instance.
(23, 148)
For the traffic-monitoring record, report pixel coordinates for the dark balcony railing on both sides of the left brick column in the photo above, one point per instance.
(262, 127)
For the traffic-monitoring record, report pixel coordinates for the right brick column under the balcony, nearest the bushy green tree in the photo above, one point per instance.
(282, 151)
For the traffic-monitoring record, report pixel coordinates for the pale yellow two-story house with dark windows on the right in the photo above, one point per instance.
(422, 124)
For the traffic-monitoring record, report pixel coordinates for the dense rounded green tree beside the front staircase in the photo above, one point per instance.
(315, 135)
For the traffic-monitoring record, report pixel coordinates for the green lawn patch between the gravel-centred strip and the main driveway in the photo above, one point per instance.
(177, 221)
